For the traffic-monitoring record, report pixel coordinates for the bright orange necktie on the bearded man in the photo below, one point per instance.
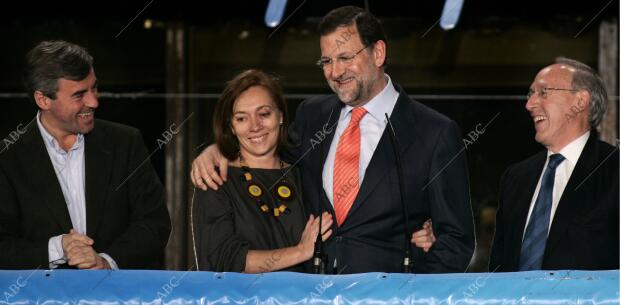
(346, 166)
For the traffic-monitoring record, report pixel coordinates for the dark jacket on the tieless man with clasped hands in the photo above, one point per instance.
(131, 223)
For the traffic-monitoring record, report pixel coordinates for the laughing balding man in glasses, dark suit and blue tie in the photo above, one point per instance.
(559, 208)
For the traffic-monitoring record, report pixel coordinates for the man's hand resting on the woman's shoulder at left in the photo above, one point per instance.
(203, 169)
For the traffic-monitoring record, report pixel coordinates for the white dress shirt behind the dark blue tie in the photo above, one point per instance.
(571, 153)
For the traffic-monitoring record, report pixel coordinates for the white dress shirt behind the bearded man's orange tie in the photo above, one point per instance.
(372, 126)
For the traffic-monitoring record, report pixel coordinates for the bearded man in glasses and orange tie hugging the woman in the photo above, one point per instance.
(349, 166)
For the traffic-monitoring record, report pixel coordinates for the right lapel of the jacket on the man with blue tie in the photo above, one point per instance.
(572, 197)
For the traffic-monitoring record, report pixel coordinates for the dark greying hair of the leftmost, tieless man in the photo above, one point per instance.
(52, 60)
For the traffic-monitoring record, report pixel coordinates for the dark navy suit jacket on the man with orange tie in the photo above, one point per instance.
(435, 183)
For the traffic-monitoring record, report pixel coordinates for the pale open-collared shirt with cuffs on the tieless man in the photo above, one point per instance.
(70, 171)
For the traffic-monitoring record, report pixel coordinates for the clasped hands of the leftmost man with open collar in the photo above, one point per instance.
(80, 253)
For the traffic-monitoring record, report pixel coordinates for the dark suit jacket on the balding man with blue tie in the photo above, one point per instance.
(584, 232)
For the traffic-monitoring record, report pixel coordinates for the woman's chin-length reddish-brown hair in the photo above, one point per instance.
(222, 116)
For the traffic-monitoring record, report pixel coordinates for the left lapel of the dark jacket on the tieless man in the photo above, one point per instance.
(37, 162)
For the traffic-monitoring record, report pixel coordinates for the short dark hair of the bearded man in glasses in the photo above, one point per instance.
(367, 25)
